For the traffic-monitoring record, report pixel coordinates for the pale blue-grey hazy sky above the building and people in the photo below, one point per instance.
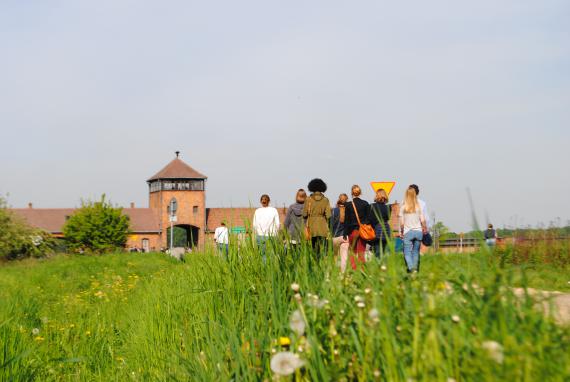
(262, 96)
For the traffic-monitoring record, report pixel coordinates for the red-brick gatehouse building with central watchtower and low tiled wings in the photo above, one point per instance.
(178, 185)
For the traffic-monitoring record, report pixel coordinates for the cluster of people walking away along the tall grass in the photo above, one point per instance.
(312, 218)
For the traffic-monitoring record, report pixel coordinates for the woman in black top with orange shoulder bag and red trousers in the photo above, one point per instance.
(351, 227)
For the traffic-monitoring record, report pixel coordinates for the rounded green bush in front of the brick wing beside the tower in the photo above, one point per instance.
(97, 227)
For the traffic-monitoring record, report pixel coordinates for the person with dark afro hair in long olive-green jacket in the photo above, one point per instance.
(317, 211)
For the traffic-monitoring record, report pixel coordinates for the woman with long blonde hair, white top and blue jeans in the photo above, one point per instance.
(412, 228)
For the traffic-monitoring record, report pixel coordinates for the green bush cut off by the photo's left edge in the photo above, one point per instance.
(18, 240)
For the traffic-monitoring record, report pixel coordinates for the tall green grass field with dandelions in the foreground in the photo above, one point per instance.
(143, 317)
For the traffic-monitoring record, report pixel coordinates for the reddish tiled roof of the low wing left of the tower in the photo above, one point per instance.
(53, 219)
